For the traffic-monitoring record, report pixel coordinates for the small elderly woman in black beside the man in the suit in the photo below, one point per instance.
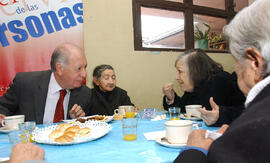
(106, 96)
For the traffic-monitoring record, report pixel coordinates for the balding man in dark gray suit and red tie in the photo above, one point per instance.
(52, 95)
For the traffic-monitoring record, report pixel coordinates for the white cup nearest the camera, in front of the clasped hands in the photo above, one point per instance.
(177, 131)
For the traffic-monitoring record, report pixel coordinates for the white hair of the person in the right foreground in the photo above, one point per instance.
(251, 28)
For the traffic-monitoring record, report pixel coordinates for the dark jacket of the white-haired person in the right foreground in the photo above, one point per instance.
(247, 140)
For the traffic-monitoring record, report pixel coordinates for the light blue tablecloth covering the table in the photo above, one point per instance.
(110, 148)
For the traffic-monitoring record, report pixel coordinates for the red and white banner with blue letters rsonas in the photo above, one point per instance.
(31, 29)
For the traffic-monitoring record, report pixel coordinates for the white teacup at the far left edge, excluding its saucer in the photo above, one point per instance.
(11, 122)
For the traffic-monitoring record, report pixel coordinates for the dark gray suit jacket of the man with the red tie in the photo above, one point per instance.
(27, 95)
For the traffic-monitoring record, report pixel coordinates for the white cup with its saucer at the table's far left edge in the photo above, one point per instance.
(10, 123)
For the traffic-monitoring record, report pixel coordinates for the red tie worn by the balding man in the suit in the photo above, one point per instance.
(59, 111)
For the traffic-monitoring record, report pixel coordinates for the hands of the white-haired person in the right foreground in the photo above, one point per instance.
(197, 138)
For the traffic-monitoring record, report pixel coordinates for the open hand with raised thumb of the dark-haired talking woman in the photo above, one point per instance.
(210, 116)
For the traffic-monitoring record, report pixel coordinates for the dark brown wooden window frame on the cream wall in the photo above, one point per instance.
(188, 9)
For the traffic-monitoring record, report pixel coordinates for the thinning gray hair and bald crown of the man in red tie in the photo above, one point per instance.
(59, 55)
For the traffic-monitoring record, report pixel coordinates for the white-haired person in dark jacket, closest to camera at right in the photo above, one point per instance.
(246, 140)
